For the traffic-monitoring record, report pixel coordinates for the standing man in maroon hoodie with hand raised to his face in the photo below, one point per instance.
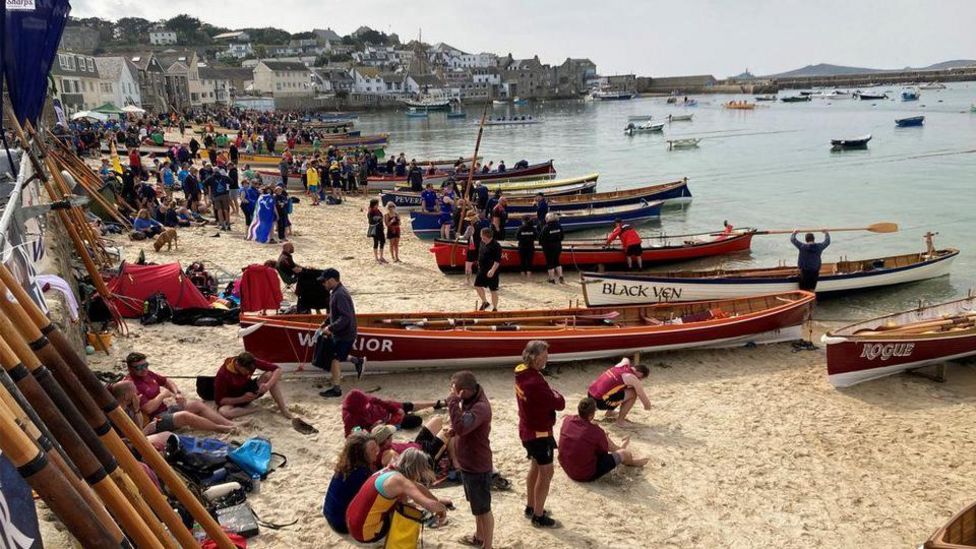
(470, 413)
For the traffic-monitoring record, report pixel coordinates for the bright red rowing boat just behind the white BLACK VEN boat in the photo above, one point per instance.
(593, 254)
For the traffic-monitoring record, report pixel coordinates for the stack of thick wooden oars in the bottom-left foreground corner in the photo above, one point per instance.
(56, 426)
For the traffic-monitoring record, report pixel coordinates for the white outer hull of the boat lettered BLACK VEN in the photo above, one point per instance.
(602, 289)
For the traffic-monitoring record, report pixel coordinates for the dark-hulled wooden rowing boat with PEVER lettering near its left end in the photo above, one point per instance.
(670, 193)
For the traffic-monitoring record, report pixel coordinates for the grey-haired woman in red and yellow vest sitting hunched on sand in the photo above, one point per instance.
(370, 513)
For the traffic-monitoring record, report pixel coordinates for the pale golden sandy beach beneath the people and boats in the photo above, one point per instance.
(749, 447)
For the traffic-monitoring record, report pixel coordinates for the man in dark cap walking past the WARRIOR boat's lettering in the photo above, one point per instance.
(338, 333)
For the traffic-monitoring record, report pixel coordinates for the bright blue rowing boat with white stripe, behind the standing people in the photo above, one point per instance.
(427, 224)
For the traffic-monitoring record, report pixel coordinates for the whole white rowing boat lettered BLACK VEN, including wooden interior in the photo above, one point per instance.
(842, 276)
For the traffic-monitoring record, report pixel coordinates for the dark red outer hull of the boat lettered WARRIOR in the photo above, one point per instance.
(291, 343)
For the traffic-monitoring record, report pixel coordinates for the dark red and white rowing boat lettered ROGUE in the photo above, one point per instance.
(899, 342)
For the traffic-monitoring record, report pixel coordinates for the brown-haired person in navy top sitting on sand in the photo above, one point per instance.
(354, 466)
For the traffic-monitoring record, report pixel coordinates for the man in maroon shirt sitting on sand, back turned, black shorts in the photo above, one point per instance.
(586, 453)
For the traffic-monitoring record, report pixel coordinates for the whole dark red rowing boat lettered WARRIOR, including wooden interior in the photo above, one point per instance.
(430, 340)
